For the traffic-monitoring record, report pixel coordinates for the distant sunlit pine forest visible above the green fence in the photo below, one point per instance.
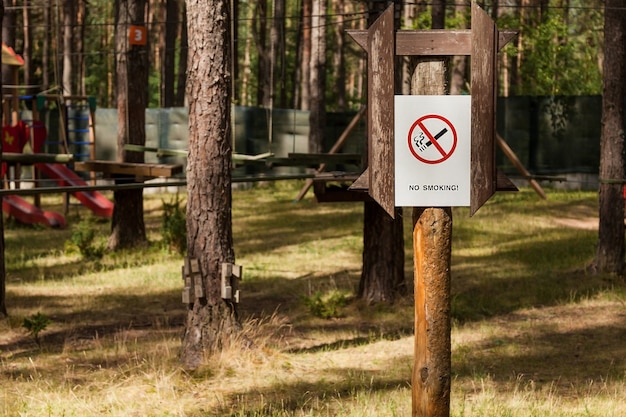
(68, 45)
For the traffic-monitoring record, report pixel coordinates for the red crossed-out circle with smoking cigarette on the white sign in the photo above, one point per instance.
(432, 139)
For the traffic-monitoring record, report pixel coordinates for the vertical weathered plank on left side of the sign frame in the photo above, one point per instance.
(380, 47)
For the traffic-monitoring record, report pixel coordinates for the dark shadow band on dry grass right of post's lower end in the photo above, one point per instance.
(573, 359)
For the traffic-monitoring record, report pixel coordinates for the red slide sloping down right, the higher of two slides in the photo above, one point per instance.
(65, 177)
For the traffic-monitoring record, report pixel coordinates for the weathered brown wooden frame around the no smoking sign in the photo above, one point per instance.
(382, 43)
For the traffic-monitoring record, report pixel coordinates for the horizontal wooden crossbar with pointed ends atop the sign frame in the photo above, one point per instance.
(437, 42)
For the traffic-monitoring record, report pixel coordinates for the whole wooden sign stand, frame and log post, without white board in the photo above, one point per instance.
(432, 227)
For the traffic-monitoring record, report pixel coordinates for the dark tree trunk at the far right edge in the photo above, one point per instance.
(610, 251)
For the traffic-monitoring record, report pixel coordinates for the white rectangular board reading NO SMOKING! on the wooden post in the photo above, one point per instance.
(432, 151)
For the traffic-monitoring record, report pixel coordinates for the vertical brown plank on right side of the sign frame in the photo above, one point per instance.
(483, 158)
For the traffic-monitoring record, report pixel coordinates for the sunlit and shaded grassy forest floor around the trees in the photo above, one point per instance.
(534, 333)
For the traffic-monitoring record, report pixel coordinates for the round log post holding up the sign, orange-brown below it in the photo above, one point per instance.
(432, 251)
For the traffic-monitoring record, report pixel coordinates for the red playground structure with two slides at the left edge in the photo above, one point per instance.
(75, 131)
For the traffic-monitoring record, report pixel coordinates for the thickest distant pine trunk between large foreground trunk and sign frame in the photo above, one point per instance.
(317, 117)
